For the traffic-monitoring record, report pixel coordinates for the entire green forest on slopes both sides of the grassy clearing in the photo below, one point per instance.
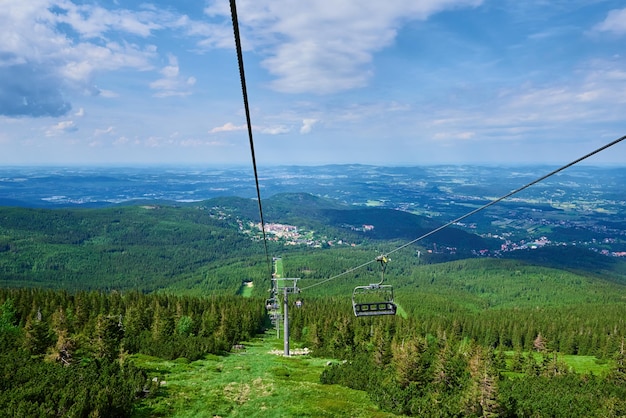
(86, 291)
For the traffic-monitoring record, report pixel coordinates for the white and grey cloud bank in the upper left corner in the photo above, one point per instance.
(49, 48)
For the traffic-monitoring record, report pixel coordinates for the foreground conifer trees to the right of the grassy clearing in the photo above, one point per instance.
(444, 373)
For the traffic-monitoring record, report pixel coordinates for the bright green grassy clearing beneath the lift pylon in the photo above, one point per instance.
(250, 383)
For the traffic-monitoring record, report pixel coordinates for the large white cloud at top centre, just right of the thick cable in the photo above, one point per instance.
(325, 46)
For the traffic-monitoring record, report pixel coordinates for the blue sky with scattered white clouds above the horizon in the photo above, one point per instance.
(402, 82)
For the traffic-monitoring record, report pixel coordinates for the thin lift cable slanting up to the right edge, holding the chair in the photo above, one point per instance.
(467, 215)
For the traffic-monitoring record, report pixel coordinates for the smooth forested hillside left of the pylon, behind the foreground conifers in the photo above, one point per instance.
(142, 248)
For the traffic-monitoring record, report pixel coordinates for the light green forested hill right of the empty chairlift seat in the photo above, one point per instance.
(478, 284)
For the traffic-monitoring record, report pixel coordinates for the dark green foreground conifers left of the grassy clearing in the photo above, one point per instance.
(68, 354)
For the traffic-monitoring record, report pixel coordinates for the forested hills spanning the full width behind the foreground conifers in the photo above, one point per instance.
(212, 247)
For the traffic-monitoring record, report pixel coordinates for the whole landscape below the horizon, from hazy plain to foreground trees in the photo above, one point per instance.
(500, 312)
